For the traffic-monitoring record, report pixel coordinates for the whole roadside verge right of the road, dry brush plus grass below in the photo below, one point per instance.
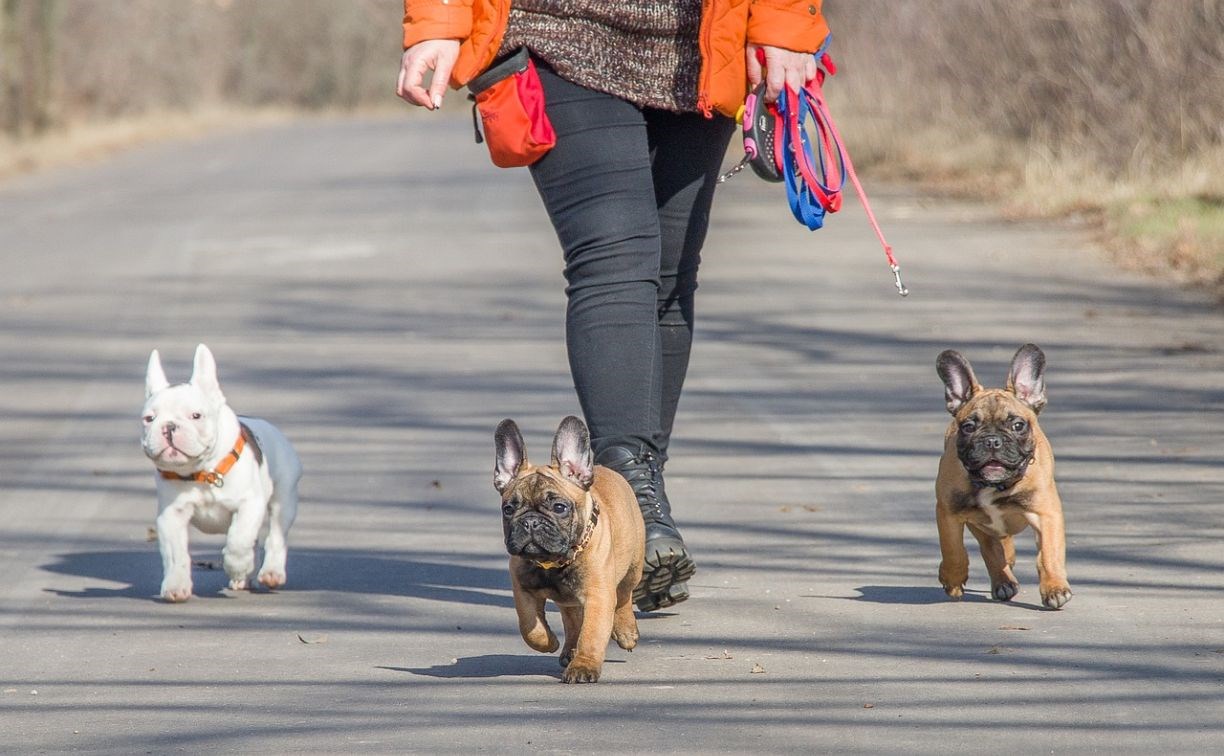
(1103, 109)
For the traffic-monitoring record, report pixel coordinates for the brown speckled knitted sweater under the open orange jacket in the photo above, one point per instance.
(641, 51)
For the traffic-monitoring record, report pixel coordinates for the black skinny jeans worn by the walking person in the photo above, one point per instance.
(629, 191)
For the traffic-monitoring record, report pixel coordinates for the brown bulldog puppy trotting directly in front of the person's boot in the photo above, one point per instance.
(575, 535)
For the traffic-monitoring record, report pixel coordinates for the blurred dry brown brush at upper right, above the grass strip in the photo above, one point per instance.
(1127, 86)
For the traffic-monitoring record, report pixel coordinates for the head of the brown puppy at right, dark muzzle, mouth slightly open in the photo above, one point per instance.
(996, 428)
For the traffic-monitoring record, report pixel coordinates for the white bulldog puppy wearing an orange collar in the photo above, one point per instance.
(220, 473)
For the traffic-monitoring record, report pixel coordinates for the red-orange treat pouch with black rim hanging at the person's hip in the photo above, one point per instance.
(510, 101)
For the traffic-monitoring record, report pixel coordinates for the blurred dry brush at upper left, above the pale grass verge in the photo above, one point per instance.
(111, 59)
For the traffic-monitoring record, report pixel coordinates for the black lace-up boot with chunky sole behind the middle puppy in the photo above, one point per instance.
(669, 565)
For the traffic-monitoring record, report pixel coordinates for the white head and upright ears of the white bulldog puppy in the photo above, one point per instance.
(181, 421)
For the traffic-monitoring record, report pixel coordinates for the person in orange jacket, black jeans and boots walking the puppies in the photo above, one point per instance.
(642, 97)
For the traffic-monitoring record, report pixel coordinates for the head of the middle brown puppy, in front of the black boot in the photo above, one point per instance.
(544, 510)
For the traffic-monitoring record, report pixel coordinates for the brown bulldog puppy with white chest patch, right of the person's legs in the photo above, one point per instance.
(997, 478)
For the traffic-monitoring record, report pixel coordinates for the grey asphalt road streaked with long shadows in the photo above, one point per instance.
(386, 297)
